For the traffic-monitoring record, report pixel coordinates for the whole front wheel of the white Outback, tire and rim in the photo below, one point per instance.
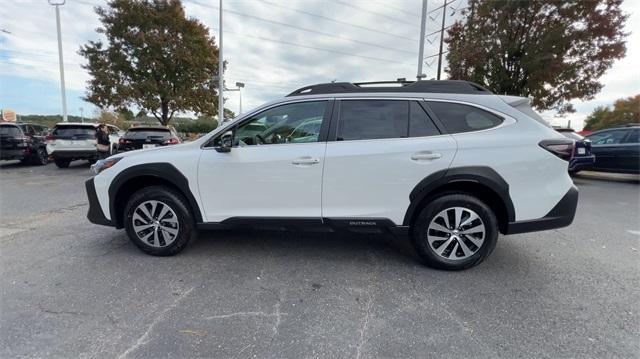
(158, 221)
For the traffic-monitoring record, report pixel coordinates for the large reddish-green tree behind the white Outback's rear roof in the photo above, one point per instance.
(553, 51)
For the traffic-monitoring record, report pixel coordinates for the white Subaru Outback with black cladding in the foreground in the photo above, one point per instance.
(446, 162)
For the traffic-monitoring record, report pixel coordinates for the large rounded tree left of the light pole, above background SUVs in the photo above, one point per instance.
(154, 58)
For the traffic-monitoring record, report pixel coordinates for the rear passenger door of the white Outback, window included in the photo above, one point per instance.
(383, 148)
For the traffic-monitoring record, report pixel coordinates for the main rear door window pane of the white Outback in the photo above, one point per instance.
(373, 119)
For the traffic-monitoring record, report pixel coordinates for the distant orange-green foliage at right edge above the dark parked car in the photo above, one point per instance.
(625, 111)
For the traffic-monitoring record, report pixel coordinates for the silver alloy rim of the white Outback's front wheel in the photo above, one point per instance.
(155, 223)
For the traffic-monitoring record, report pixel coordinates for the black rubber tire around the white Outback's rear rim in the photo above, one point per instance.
(420, 230)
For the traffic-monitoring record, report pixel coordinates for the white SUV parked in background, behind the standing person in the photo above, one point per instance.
(77, 141)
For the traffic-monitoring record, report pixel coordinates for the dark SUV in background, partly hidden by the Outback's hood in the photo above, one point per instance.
(142, 137)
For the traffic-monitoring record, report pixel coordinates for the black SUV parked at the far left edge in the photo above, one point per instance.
(24, 142)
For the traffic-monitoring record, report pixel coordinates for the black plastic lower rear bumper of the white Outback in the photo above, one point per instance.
(560, 216)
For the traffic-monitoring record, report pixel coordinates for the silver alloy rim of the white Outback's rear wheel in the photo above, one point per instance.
(456, 233)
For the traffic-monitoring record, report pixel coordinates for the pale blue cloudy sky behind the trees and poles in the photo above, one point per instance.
(273, 46)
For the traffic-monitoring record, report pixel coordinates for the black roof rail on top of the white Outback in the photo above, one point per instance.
(434, 86)
